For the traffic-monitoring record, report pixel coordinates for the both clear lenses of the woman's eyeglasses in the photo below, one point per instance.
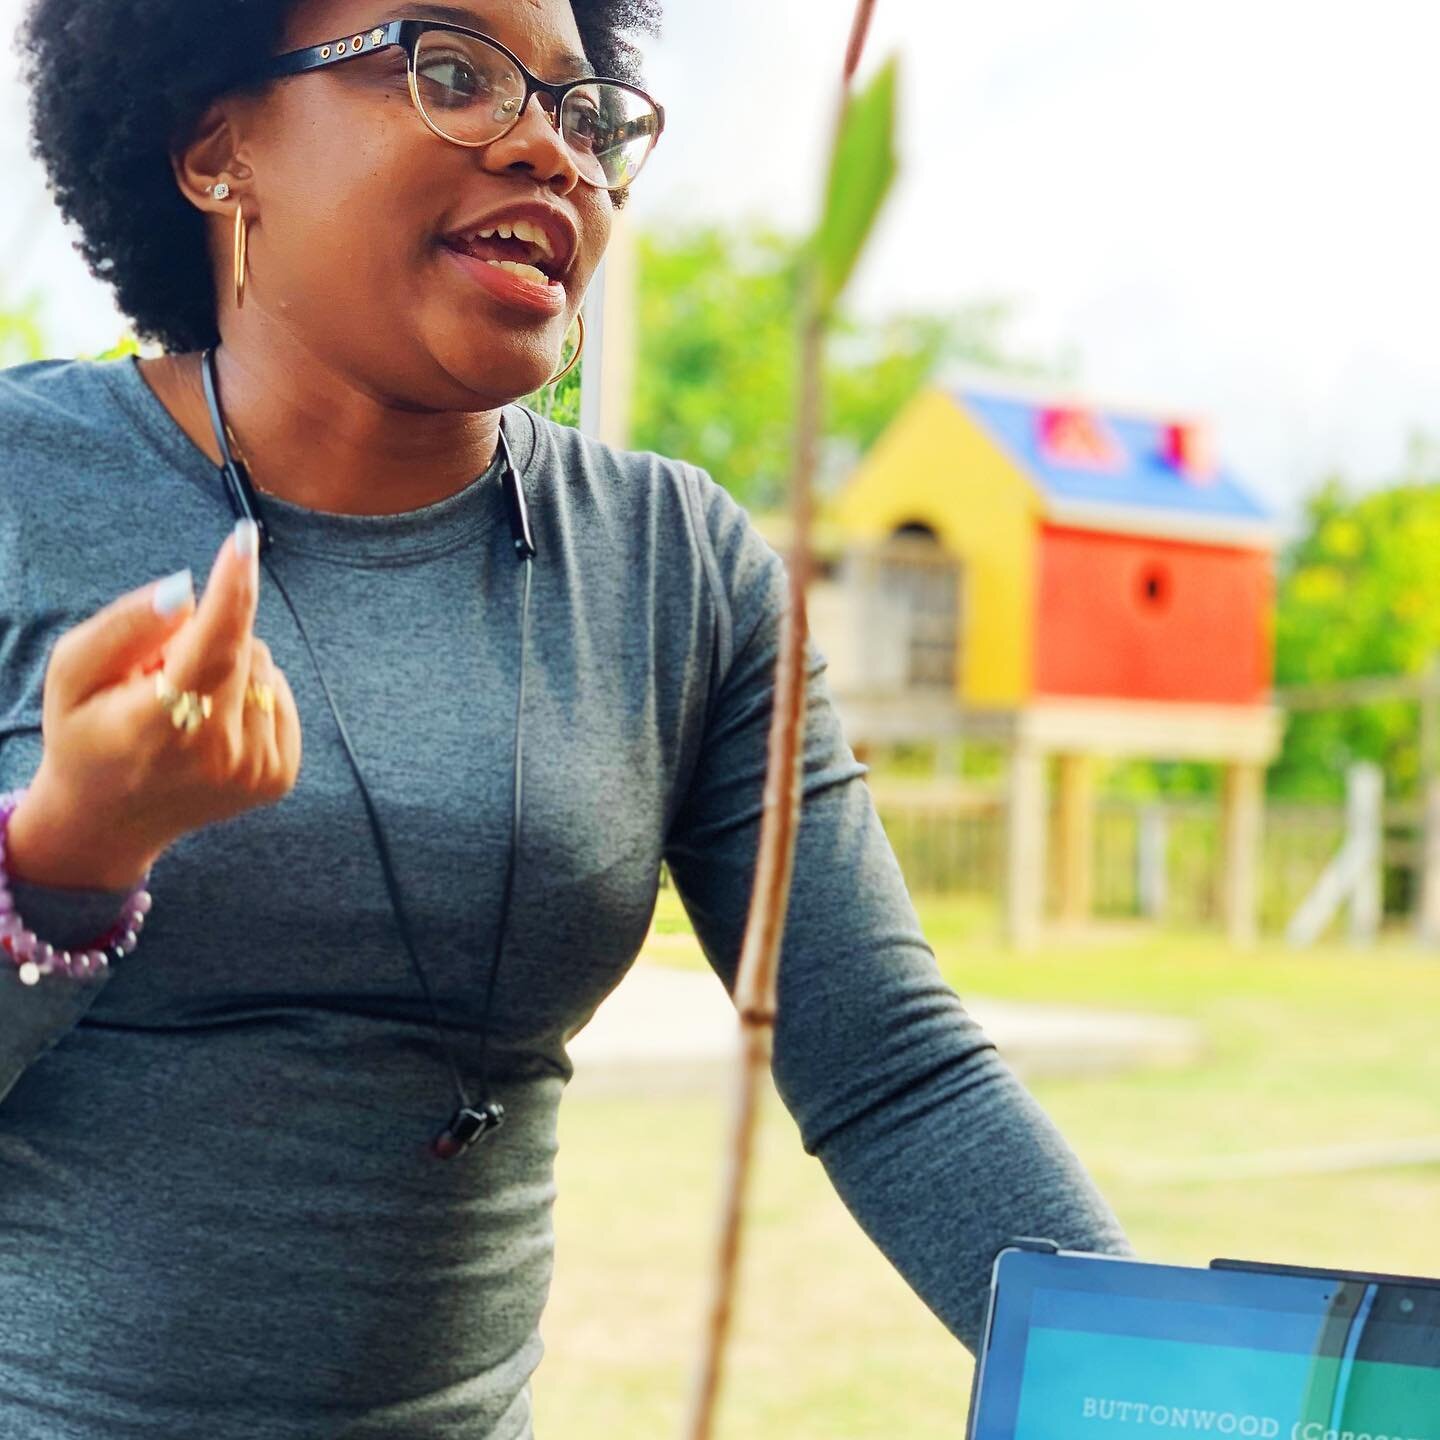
(473, 93)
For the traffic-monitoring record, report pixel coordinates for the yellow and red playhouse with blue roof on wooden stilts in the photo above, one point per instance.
(1072, 581)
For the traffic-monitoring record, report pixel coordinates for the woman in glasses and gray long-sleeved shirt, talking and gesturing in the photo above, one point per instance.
(221, 1212)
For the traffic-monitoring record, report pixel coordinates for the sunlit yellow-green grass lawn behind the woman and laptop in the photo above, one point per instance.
(1328, 1049)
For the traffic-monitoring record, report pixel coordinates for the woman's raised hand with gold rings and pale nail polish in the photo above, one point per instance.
(120, 781)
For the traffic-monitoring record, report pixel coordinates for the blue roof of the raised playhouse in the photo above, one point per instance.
(1141, 479)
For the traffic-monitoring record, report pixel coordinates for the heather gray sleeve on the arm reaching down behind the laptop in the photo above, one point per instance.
(925, 1133)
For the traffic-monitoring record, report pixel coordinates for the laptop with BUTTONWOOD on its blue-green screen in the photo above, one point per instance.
(1084, 1347)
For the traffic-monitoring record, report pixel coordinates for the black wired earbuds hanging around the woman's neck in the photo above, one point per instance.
(472, 1122)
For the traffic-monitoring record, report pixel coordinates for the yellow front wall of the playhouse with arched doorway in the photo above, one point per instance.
(937, 467)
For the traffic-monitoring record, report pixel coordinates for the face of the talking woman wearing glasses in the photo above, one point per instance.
(358, 212)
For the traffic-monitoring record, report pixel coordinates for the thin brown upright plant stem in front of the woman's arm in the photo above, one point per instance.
(757, 983)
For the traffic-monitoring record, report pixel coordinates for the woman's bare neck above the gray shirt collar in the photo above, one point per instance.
(316, 440)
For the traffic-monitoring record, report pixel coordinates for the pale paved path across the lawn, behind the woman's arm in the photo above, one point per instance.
(676, 1029)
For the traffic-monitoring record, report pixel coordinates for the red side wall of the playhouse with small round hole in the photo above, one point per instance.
(1131, 618)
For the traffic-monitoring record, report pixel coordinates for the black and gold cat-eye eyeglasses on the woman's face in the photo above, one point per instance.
(472, 91)
